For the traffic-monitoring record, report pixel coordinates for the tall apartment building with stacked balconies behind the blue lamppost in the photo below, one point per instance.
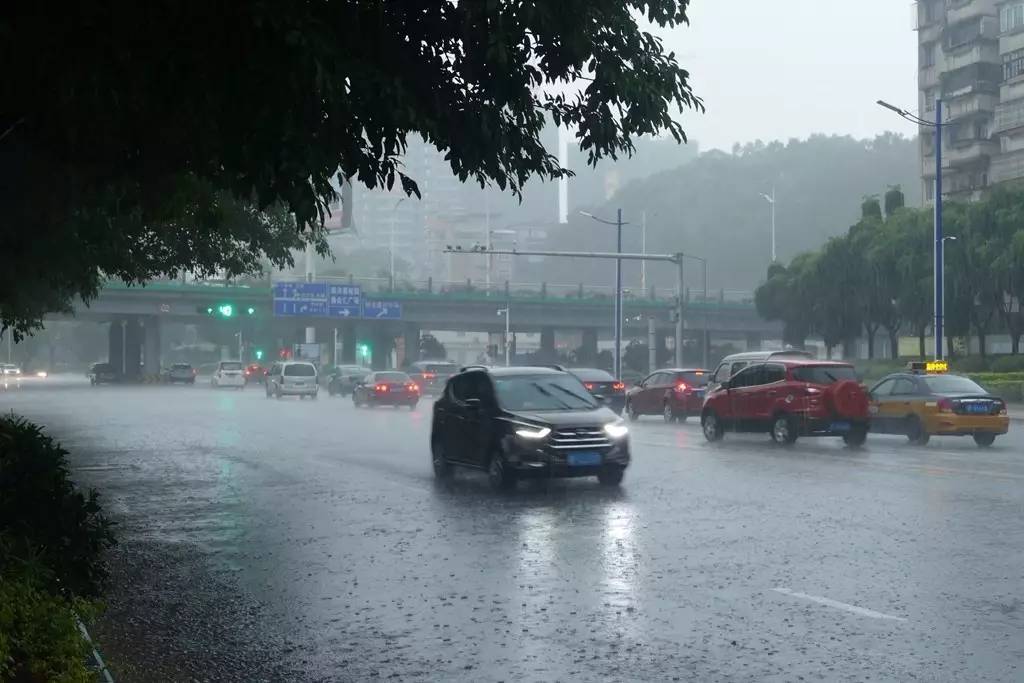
(972, 57)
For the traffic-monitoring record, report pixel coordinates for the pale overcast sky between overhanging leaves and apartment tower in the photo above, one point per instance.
(793, 68)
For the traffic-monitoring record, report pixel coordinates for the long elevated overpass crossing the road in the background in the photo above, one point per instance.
(137, 313)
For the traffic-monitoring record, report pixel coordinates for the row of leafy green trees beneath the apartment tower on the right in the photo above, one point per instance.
(879, 276)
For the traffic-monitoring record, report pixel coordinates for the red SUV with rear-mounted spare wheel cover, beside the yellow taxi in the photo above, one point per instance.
(790, 399)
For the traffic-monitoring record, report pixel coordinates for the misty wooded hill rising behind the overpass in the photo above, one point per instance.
(713, 207)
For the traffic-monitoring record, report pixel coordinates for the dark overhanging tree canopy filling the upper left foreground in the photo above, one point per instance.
(142, 139)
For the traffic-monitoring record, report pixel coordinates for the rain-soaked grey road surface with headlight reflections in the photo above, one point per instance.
(266, 540)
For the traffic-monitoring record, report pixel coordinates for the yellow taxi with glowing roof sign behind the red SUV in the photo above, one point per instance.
(926, 401)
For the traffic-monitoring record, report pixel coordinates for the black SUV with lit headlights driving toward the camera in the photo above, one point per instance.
(527, 422)
